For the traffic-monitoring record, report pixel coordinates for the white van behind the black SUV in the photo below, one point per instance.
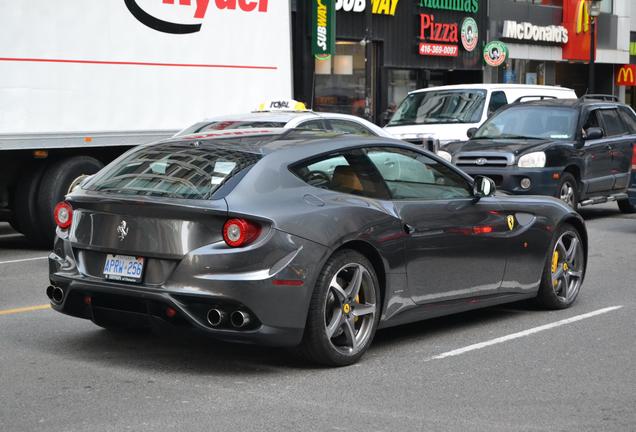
(440, 115)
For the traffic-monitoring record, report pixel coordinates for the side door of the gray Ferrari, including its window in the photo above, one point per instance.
(455, 247)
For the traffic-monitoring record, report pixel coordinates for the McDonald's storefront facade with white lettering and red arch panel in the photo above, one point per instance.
(549, 42)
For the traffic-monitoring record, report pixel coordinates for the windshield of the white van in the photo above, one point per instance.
(438, 107)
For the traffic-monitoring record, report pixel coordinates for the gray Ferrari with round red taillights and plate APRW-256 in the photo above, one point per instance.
(301, 238)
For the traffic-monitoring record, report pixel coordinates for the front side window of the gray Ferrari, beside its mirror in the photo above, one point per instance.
(411, 175)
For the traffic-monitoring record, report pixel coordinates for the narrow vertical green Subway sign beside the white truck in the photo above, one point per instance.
(323, 28)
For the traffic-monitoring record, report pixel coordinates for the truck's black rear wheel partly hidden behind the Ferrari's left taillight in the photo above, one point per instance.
(56, 181)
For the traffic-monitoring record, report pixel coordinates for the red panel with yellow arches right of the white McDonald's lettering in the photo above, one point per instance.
(576, 19)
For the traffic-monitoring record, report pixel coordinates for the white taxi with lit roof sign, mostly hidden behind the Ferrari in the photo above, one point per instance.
(288, 115)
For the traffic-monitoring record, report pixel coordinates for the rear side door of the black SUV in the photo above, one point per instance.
(620, 147)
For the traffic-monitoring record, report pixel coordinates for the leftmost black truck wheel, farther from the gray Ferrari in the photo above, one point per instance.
(26, 216)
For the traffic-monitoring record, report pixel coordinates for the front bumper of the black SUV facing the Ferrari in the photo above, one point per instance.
(509, 179)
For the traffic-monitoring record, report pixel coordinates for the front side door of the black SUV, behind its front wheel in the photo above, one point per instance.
(597, 175)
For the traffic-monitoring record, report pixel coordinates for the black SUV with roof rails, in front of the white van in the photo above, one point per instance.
(578, 150)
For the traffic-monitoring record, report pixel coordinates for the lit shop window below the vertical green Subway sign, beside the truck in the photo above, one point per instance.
(340, 81)
